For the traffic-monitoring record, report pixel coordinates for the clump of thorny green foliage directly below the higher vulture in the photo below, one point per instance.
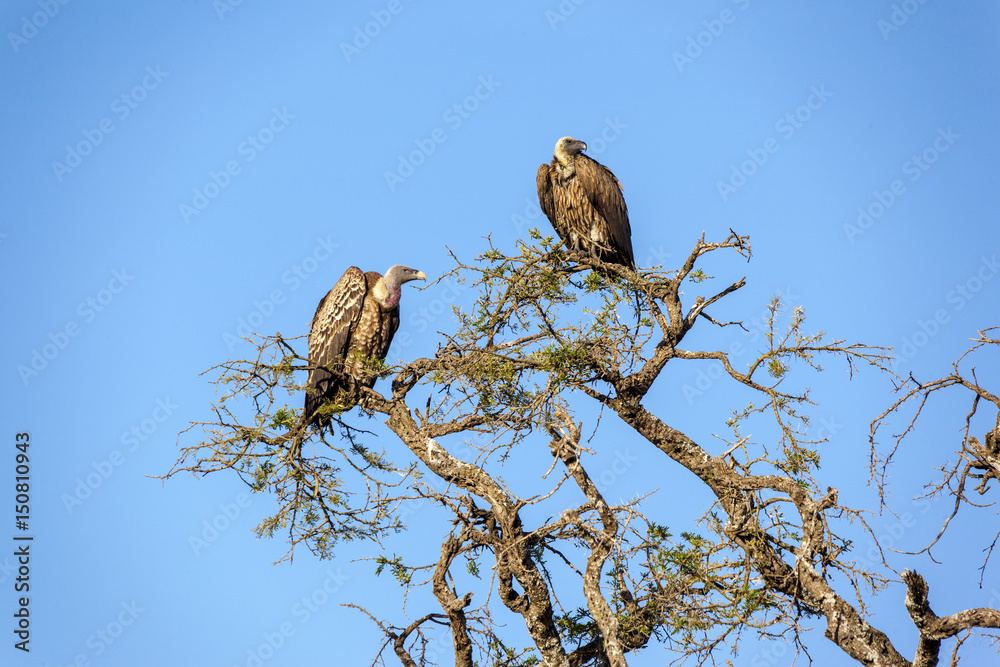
(519, 351)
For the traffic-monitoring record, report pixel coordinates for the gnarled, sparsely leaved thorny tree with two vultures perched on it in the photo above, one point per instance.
(554, 341)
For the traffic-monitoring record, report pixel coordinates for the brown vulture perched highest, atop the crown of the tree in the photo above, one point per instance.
(583, 201)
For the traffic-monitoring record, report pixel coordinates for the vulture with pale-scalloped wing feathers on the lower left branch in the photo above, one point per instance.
(356, 320)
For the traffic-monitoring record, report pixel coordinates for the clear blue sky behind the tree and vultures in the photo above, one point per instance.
(173, 170)
